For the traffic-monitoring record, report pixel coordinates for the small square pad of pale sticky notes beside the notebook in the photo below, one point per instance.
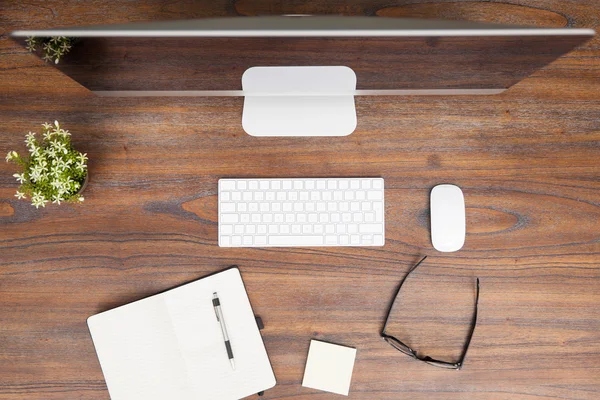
(329, 367)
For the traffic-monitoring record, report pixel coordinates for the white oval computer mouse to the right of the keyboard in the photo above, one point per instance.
(448, 223)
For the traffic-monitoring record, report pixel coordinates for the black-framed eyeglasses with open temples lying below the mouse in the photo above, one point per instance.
(402, 347)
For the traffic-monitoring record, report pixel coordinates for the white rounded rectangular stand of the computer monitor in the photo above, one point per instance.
(299, 101)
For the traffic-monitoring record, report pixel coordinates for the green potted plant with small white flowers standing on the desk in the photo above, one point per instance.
(54, 170)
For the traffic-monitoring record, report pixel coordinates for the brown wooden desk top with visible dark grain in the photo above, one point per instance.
(527, 160)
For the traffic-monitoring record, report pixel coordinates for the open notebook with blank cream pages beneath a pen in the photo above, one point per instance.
(170, 346)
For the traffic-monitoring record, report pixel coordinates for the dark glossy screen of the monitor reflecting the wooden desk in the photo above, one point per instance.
(380, 63)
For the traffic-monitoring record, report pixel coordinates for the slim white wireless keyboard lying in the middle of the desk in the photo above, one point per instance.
(301, 212)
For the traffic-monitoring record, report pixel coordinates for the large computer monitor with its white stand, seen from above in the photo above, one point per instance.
(299, 74)
